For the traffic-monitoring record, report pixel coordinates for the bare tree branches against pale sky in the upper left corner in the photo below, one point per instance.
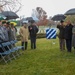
(12, 5)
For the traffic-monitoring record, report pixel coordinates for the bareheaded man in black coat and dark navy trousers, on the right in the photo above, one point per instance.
(68, 36)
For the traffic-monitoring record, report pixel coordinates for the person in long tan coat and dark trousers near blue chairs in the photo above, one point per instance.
(24, 35)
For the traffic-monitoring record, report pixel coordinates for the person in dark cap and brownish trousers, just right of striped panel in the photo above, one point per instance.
(61, 28)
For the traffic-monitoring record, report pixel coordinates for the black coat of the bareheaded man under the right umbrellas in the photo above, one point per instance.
(68, 31)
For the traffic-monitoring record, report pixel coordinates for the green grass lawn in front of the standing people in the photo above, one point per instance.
(47, 59)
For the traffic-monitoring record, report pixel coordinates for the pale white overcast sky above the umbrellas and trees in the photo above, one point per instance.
(52, 7)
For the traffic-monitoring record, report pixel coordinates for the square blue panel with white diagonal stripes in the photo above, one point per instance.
(51, 33)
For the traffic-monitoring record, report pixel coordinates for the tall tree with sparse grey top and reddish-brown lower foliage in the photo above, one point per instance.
(41, 14)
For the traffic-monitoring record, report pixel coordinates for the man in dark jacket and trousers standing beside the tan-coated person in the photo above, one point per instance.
(33, 31)
